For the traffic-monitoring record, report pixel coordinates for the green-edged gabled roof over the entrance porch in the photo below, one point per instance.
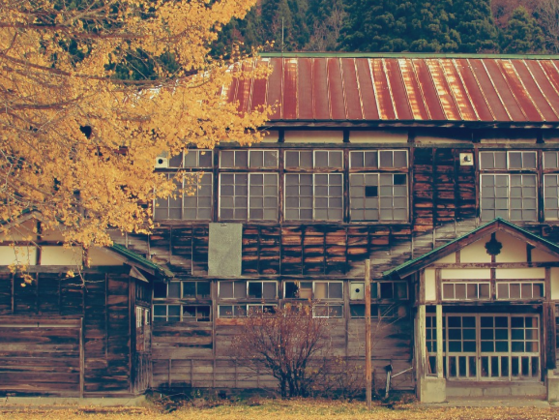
(414, 265)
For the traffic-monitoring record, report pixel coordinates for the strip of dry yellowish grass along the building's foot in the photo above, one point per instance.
(271, 410)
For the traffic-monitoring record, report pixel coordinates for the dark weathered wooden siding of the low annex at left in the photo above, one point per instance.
(70, 326)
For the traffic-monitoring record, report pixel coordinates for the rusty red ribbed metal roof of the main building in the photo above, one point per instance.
(410, 88)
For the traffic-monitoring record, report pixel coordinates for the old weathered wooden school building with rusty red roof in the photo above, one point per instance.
(442, 170)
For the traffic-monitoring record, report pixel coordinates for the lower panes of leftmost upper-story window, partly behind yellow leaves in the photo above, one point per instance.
(192, 200)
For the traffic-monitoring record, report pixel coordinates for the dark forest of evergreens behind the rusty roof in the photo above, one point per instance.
(442, 26)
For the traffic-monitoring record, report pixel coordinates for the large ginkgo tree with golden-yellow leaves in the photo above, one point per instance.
(80, 123)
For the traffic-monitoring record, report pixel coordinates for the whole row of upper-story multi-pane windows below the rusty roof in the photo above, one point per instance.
(309, 185)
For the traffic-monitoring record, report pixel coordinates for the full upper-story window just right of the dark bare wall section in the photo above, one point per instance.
(512, 196)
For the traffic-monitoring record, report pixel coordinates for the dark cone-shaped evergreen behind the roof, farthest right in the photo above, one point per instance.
(522, 34)
